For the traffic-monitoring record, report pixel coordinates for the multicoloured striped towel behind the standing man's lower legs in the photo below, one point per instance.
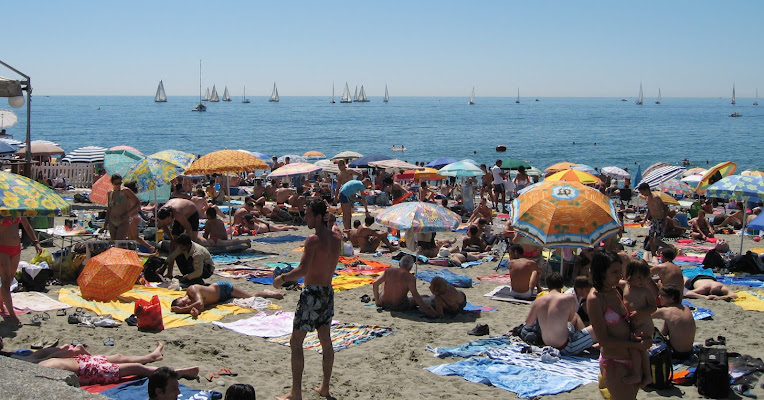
(343, 335)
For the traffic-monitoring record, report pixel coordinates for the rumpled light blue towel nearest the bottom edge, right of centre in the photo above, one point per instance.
(525, 382)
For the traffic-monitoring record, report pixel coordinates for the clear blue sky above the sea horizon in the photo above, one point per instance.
(417, 48)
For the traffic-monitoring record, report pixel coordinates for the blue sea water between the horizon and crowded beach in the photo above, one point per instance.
(606, 131)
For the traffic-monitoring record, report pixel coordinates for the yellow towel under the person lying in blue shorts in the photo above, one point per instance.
(124, 306)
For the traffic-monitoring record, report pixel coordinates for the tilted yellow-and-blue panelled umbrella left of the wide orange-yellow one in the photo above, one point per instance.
(159, 169)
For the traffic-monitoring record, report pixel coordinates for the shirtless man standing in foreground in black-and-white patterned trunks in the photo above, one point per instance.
(315, 308)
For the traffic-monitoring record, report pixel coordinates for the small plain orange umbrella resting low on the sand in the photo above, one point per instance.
(109, 274)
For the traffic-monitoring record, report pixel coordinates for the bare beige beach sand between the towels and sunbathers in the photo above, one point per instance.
(383, 368)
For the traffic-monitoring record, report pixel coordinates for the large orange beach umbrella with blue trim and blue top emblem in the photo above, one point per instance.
(564, 214)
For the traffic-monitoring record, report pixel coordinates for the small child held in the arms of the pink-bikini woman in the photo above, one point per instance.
(639, 295)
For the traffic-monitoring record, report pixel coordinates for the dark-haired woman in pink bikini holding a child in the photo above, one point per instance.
(609, 317)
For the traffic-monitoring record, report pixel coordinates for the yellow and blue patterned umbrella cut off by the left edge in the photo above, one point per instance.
(23, 197)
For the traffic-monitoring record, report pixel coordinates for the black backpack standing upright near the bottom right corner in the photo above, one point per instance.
(712, 375)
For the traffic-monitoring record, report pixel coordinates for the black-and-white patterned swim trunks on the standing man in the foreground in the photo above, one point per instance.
(315, 308)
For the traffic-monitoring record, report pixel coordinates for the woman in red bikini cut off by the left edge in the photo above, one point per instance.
(10, 254)
